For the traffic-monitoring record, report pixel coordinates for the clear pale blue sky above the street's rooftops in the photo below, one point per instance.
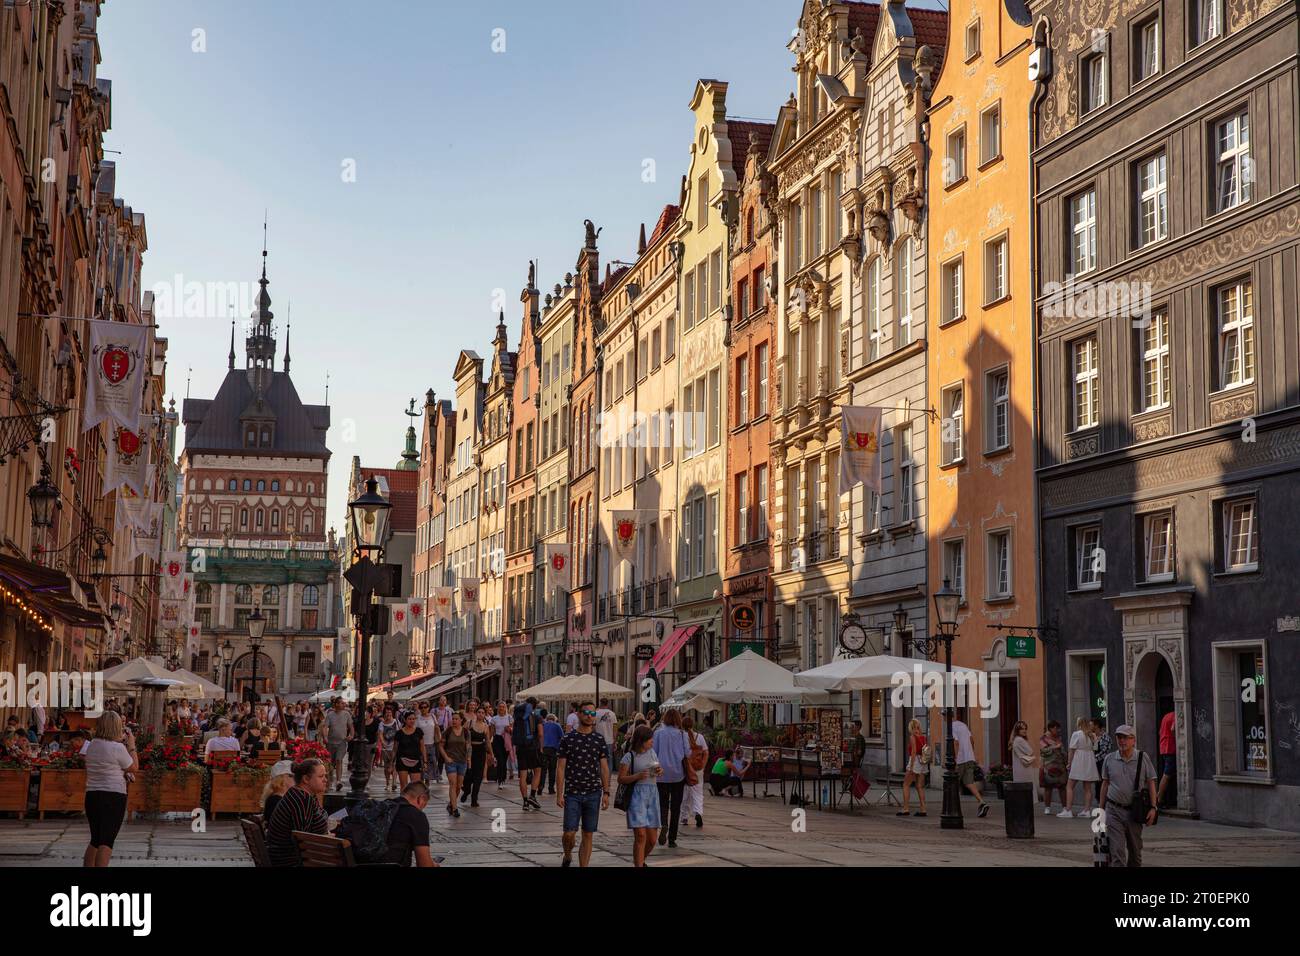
(410, 158)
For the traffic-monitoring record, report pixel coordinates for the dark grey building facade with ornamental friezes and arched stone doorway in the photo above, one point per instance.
(1167, 241)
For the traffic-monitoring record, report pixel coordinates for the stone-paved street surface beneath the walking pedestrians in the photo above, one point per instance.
(738, 833)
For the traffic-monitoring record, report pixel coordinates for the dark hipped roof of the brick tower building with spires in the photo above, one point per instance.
(214, 425)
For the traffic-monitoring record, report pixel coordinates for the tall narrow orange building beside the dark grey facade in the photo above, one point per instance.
(981, 362)
